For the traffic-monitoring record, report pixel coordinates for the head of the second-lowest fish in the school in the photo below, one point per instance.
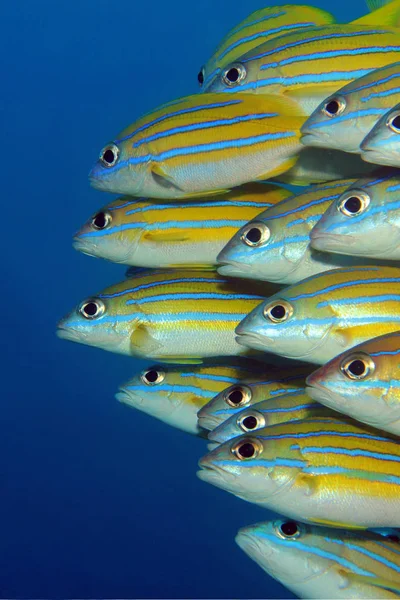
(248, 467)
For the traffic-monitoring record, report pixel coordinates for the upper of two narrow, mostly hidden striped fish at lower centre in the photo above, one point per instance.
(278, 380)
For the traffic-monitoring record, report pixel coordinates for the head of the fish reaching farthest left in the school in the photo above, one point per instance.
(102, 320)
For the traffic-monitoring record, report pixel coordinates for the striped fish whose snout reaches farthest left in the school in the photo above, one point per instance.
(168, 316)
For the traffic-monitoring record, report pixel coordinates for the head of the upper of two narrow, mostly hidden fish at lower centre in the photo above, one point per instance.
(225, 404)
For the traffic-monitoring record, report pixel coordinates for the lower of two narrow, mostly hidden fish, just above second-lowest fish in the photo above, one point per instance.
(284, 408)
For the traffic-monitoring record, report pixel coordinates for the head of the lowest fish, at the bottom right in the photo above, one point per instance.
(294, 553)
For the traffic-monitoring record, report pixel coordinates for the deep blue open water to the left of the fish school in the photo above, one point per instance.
(97, 500)
